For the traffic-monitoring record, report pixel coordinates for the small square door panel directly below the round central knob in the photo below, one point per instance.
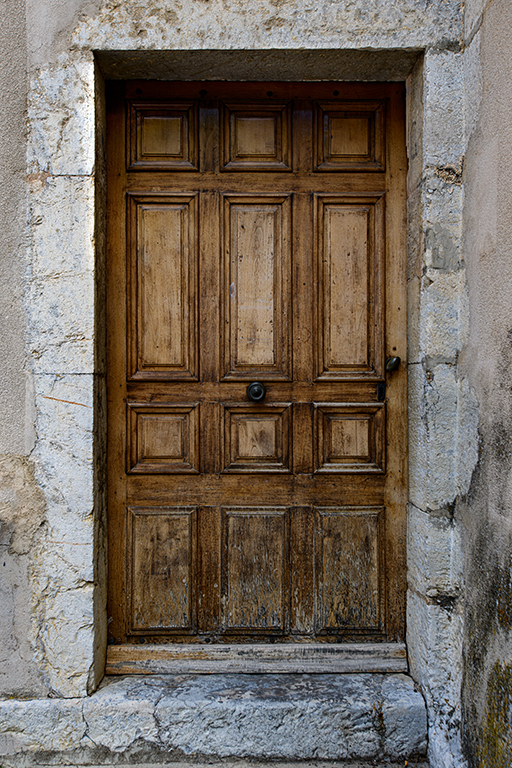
(257, 438)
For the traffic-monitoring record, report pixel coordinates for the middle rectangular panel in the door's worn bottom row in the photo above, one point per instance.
(255, 580)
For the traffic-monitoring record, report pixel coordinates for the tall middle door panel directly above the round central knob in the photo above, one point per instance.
(257, 287)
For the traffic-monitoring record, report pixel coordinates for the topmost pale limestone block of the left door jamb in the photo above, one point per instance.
(61, 118)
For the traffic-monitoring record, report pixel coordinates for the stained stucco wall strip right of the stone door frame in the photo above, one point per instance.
(487, 511)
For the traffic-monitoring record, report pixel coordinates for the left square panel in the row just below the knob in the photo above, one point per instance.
(163, 438)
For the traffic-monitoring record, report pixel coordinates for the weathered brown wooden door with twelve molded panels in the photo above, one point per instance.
(256, 234)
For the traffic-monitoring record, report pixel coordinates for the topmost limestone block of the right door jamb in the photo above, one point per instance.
(443, 105)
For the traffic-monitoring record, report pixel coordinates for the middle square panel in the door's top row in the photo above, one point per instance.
(256, 136)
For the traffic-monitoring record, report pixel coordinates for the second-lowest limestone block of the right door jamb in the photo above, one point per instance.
(434, 558)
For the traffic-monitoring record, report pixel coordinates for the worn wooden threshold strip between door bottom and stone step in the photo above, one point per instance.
(257, 658)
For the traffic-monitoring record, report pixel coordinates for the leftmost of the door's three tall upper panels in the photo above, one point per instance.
(163, 274)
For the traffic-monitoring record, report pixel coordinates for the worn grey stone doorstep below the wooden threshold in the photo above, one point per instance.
(136, 719)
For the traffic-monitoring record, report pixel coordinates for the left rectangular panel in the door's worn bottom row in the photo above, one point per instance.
(161, 570)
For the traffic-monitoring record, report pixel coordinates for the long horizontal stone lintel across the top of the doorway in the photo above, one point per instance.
(263, 25)
